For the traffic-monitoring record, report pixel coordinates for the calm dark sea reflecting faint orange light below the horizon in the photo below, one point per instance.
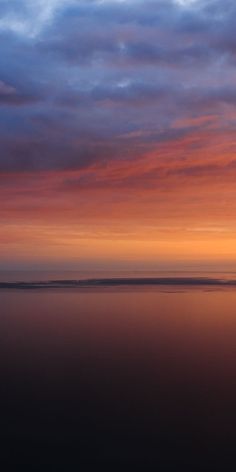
(117, 375)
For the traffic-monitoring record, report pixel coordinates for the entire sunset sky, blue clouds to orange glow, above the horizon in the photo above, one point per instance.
(117, 133)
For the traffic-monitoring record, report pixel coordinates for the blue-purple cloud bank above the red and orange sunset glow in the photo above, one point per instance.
(80, 78)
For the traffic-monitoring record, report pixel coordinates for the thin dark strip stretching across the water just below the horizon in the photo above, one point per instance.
(116, 282)
